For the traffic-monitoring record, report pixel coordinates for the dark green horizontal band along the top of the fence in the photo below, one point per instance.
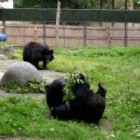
(70, 15)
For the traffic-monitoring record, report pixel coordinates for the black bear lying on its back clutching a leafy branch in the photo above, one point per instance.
(86, 106)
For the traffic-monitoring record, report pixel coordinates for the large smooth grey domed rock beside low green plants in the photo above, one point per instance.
(21, 73)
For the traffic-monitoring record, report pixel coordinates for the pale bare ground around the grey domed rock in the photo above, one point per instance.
(47, 75)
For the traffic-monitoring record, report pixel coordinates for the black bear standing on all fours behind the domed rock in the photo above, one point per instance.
(34, 52)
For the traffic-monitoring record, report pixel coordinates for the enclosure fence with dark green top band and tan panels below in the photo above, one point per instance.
(82, 27)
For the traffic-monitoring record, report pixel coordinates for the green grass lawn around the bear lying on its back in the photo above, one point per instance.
(118, 69)
